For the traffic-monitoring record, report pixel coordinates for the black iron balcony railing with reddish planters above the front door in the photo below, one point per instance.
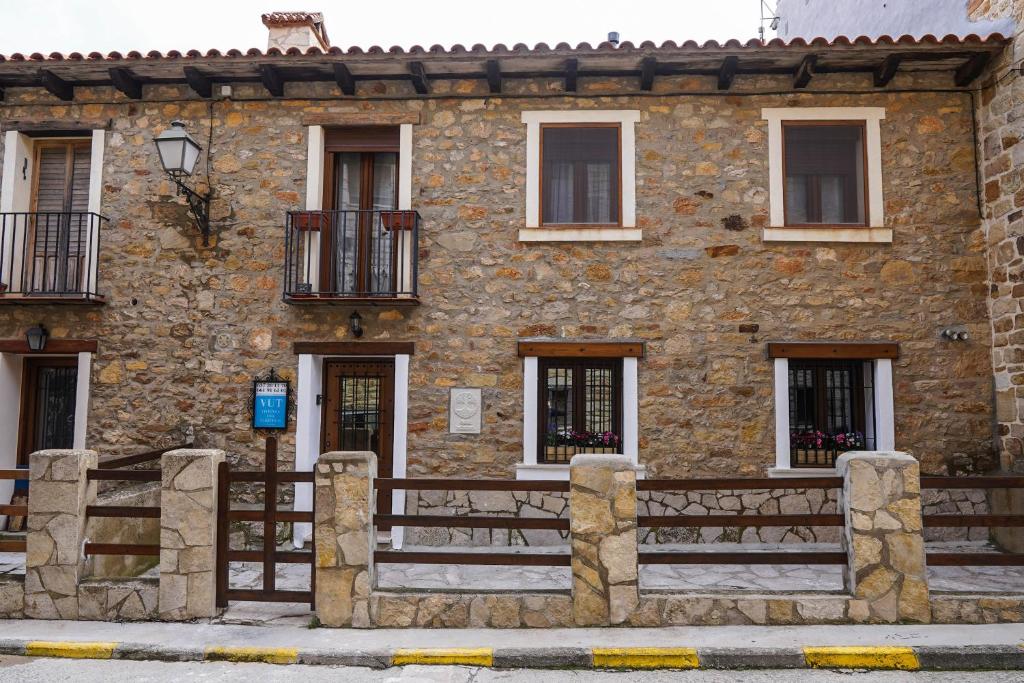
(367, 257)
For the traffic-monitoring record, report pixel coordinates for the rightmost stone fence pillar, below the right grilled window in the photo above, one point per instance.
(886, 572)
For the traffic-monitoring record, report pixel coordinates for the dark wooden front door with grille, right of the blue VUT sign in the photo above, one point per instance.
(359, 413)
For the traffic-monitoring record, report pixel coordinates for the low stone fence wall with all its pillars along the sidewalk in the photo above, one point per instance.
(885, 577)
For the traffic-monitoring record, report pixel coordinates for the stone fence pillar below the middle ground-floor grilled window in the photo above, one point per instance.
(604, 532)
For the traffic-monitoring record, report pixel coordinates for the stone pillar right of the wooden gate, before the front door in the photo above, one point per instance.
(344, 537)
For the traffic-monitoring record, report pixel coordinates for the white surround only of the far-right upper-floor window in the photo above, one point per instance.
(876, 231)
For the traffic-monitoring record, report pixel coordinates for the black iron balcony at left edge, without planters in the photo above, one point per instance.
(50, 258)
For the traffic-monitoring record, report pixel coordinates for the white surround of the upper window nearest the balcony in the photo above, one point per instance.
(627, 119)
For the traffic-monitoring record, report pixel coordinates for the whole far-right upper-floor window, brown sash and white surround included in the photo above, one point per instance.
(825, 168)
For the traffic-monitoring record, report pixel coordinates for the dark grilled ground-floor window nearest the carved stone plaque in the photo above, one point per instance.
(581, 408)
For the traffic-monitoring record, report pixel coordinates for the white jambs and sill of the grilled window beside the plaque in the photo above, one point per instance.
(531, 468)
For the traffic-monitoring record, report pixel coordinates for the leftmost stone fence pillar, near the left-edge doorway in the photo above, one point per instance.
(54, 560)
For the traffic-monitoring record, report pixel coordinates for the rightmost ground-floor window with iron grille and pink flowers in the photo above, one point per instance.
(831, 411)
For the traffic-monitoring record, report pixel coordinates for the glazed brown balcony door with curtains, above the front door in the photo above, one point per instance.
(359, 259)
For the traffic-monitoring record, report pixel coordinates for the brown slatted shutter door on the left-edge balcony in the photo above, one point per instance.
(59, 240)
